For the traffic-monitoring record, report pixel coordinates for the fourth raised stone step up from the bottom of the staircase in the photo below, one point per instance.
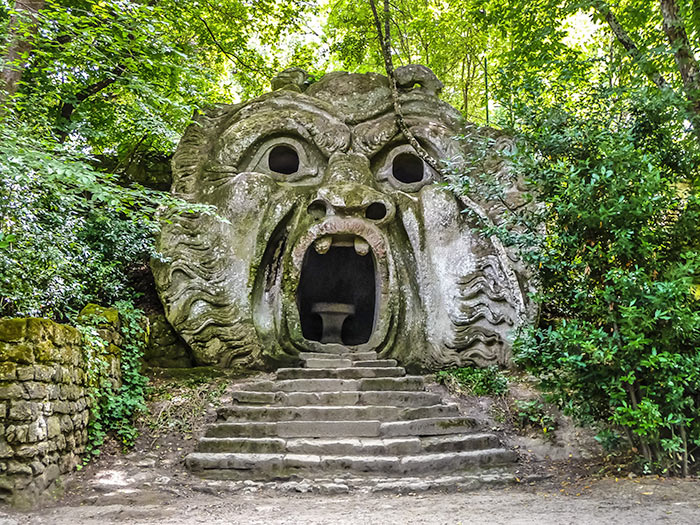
(334, 413)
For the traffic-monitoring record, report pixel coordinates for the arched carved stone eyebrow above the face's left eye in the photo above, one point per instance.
(278, 116)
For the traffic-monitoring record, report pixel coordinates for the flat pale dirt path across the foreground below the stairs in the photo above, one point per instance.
(604, 501)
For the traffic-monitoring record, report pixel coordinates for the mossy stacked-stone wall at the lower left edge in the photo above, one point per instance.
(44, 407)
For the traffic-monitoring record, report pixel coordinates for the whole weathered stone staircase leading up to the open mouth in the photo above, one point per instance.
(342, 413)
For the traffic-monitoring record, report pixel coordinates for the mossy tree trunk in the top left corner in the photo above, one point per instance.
(22, 29)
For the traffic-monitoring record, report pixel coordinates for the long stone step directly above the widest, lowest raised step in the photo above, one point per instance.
(351, 446)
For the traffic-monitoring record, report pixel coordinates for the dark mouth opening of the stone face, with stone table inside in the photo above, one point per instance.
(336, 296)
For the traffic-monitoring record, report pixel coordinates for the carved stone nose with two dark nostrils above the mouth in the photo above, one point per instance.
(348, 192)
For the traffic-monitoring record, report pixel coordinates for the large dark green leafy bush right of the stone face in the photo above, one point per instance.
(616, 243)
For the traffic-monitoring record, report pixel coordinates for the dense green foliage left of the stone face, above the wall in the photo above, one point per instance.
(100, 88)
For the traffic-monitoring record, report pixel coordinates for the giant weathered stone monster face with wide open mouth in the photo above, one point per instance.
(331, 232)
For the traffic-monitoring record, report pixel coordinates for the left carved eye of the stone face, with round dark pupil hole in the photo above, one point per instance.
(286, 159)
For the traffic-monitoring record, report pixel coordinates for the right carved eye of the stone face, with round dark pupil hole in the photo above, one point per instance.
(402, 168)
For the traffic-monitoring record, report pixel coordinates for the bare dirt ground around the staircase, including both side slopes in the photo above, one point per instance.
(562, 480)
